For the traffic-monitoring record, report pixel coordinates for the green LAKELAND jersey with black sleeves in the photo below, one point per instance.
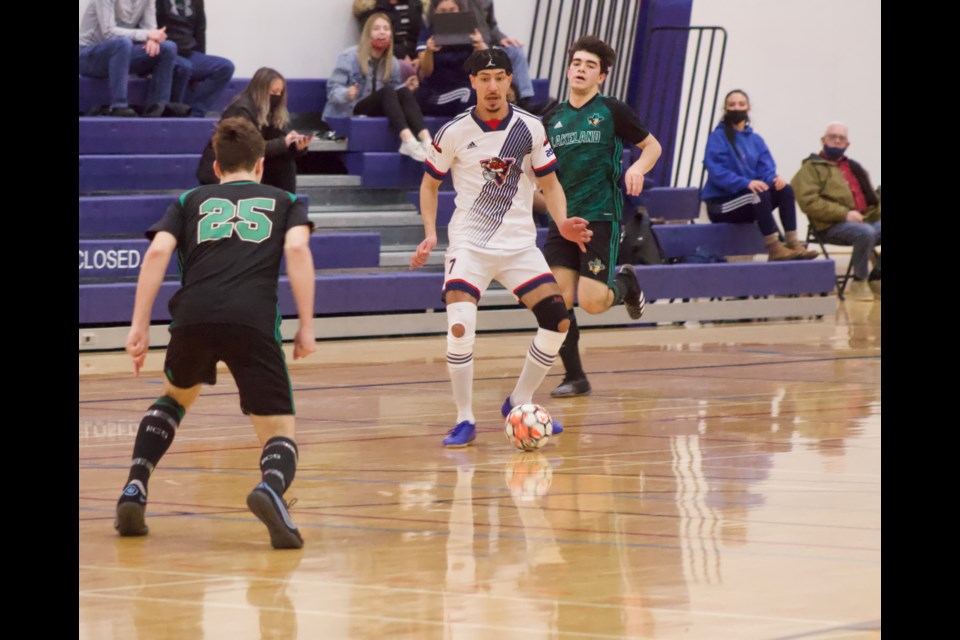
(588, 143)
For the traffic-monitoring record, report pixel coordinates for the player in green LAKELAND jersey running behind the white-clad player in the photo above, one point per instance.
(588, 133)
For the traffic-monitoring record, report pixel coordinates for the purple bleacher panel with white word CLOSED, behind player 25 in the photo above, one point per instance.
(118, 258)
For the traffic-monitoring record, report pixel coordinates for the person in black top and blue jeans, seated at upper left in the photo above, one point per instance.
(186, 25)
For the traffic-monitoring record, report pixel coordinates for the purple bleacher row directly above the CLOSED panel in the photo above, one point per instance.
(128, 215)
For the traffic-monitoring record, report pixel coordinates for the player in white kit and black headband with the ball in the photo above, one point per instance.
(497, 153)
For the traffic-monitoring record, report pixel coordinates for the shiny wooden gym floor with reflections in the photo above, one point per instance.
(721, 482)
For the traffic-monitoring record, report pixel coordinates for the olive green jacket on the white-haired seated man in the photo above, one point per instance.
(824, 195)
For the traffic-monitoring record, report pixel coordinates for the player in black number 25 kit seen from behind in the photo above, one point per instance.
(230, 239)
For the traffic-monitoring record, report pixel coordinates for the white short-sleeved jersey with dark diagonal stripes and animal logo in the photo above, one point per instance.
(494, 175)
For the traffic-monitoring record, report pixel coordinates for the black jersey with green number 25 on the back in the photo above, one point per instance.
(230, 241)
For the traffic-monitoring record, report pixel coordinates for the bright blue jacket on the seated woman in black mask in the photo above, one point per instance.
(728, 173)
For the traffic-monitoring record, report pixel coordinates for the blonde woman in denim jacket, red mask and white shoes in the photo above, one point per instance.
(366, 82)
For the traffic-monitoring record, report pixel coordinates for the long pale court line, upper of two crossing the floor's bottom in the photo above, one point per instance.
(477, 595)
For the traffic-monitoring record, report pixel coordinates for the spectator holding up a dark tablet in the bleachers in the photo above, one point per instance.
(444, 86)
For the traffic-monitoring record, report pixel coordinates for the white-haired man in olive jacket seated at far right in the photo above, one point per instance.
(836, 194)
